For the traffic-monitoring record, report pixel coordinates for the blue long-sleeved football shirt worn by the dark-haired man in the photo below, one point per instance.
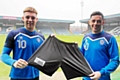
(101, 51)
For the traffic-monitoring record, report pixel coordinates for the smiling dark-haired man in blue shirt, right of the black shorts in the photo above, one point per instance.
(100, 49)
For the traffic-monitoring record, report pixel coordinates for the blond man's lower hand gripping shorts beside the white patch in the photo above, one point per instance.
(20, 63)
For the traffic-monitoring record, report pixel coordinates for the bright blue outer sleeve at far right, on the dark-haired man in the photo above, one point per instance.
(114, 57)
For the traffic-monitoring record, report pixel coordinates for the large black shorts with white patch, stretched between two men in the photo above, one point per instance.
(54, 53)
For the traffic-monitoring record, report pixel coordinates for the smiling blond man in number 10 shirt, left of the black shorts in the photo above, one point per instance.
(23, 42)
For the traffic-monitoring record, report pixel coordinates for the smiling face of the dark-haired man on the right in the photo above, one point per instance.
(96, 22)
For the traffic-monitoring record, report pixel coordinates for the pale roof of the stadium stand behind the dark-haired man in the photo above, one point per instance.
(115, 18)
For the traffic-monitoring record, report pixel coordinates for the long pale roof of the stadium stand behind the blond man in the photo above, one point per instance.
(18, 20)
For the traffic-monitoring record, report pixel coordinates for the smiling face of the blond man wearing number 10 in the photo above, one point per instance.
(30, 19)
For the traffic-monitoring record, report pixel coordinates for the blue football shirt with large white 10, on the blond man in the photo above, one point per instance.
(24, 44)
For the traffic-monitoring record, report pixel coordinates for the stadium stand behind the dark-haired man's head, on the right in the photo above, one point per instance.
(111, 23)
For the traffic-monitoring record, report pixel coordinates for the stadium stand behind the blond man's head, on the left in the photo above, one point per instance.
(45, 26)
